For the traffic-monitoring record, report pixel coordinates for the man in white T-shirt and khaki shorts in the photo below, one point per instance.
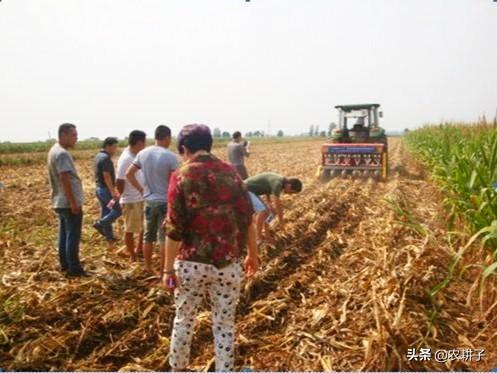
(131, 198)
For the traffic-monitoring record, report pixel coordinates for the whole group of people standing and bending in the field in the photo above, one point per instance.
(200, 211)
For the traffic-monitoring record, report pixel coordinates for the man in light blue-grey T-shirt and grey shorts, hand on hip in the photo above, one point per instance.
(157, 163)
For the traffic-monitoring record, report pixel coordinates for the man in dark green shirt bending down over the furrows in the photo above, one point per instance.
(271, 185)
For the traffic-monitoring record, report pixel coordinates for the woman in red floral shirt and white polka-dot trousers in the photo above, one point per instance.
(209, 229)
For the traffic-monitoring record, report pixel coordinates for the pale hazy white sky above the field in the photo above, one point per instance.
(112, 66)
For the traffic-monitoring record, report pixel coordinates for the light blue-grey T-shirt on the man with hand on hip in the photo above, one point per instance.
(157, 164)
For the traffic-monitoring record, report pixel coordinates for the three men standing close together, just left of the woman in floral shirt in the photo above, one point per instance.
(138, 191)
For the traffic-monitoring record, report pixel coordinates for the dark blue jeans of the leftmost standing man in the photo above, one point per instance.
(69, 237)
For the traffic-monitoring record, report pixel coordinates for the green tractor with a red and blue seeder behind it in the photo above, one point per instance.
(358, 146)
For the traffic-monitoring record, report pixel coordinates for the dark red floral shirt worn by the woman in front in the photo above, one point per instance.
(209, 211)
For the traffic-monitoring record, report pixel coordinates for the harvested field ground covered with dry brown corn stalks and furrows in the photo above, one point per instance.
(345, 286)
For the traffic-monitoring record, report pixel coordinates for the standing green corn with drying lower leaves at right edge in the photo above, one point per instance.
(462, 159)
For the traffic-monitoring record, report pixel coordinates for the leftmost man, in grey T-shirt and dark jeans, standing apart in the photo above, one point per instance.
(67, 199)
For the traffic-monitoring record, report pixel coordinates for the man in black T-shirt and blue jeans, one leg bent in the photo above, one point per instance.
(106, 190)
